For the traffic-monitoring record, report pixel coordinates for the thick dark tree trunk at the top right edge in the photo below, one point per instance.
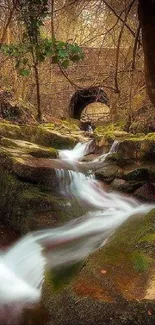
(146, 13)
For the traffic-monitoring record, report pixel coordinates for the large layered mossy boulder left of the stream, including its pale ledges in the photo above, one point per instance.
(30, 196)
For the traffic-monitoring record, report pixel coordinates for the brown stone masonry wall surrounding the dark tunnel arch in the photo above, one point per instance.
(97, 69)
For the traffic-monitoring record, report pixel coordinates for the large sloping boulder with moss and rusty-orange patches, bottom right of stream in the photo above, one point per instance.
(112, 286)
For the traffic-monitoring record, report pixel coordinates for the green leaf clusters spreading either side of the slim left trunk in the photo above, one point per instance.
(60, 52)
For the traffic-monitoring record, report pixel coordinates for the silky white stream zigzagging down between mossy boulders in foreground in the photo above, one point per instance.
(23, 266)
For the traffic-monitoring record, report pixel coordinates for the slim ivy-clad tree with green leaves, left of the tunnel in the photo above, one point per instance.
(33, 49)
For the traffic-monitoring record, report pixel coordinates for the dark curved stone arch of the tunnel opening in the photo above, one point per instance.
(84, 97)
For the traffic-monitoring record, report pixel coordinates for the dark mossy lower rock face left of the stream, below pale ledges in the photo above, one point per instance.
(26, 207)
